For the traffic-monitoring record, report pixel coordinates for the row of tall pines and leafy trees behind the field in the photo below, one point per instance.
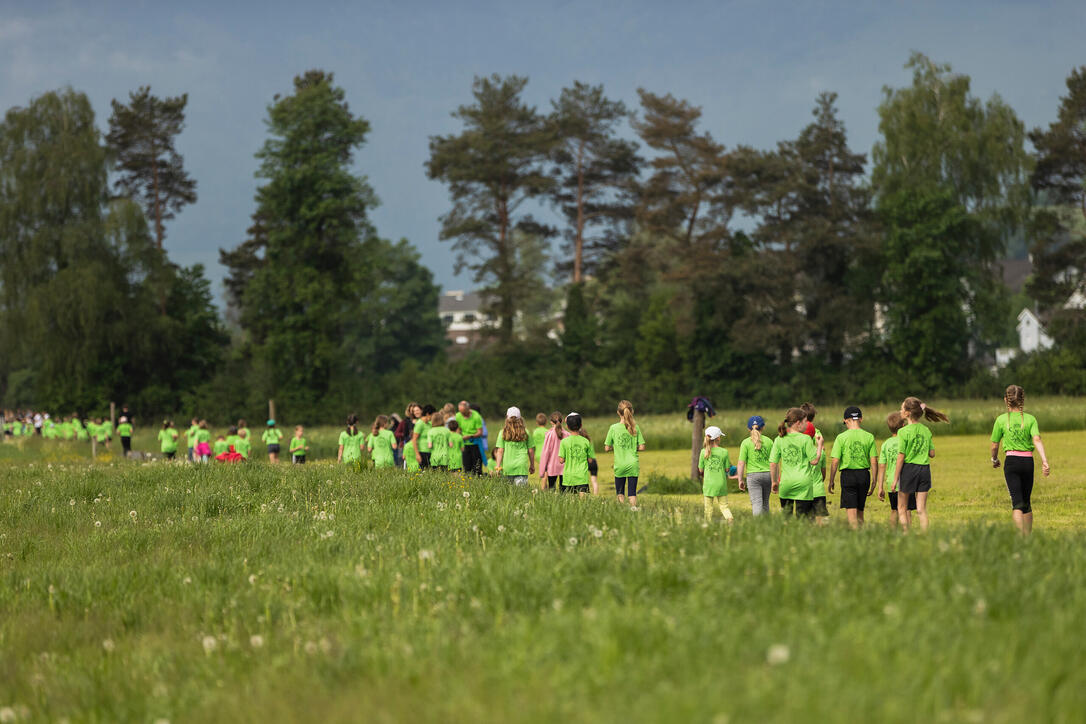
(673, 264)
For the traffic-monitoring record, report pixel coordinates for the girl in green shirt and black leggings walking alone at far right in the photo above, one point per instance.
(1019, 435)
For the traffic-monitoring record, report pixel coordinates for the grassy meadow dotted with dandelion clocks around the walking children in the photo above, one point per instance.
(138, 592)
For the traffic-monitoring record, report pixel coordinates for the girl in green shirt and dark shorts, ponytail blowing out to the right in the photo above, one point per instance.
(916, 450)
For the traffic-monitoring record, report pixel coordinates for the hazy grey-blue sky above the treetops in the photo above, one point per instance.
(754, 68)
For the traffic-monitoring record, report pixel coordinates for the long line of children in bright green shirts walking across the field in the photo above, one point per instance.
(793, 466)
